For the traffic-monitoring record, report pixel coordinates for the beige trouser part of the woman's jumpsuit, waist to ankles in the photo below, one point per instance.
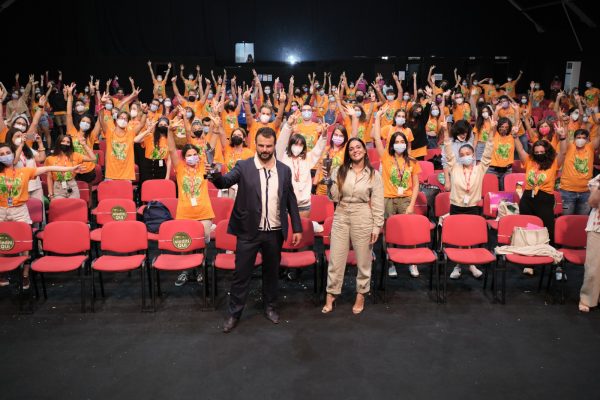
(352, 223)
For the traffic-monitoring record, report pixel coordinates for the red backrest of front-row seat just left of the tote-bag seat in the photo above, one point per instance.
(464, 230)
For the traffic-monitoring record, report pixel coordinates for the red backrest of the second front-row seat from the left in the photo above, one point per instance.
(66, 237)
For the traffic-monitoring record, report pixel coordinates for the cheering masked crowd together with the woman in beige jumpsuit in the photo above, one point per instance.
(324, 132)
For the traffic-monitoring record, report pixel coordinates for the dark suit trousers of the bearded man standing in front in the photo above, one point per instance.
(269, 243)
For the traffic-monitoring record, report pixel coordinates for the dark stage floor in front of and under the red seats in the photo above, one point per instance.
(409, 348)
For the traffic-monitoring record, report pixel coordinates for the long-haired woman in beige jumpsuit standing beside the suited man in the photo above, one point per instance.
(357, 189)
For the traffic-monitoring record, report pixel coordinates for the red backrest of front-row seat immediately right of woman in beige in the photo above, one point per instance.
(407, 230)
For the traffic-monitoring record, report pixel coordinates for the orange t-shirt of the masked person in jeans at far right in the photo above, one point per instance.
(578, 168)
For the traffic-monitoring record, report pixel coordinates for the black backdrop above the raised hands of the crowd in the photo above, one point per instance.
(107, 38)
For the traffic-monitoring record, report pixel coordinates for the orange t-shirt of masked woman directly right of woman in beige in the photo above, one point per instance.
(397, 176)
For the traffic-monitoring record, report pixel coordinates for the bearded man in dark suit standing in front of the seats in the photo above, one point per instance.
(259, 219)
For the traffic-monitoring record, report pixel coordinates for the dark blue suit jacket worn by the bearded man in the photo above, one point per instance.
(245, 218)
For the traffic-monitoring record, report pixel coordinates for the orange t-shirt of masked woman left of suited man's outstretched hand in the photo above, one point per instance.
(193, 189)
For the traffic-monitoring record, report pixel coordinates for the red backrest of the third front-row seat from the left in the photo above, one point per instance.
(124, 236)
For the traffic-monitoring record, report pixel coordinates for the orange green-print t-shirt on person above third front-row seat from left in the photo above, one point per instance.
(119, 156)
